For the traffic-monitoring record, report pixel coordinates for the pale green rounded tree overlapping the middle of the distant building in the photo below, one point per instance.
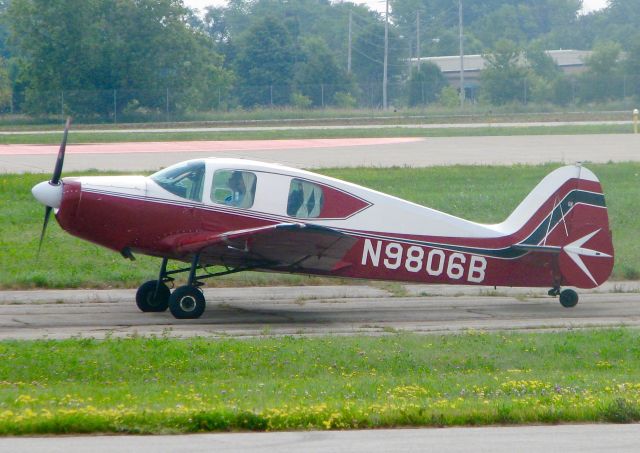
(504, 76)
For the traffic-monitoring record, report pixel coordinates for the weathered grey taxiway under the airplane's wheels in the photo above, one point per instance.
(316, 310)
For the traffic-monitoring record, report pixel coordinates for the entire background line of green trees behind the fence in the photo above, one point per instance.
(125, 56)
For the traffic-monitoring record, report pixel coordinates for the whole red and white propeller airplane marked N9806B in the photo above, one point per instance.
(247, 215)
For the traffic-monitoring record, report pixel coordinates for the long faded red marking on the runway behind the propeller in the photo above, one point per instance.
(197, 146)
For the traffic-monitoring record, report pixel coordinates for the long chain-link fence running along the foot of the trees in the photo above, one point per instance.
(172, 104)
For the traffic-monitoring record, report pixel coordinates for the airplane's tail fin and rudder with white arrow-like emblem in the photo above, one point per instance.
(566, 215)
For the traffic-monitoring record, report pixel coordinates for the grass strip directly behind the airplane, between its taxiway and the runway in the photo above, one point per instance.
(481, 193)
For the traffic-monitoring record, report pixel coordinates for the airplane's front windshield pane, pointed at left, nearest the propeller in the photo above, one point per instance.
(185, 180)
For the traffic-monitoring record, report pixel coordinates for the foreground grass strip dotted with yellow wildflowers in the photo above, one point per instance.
(160, 385)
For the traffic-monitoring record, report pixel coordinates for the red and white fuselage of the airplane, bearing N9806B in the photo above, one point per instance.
(396, 239)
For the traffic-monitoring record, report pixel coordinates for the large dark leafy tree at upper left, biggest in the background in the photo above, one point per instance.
(88, 48)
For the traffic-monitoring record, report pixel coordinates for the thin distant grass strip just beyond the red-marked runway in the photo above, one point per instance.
(383, 131)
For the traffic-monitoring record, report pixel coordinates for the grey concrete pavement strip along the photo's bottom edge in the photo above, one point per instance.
(494, 439)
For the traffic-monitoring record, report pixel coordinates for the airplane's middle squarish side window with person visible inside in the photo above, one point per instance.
(234, 188)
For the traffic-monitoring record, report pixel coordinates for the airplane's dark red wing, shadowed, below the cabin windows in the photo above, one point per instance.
(285, 246)
